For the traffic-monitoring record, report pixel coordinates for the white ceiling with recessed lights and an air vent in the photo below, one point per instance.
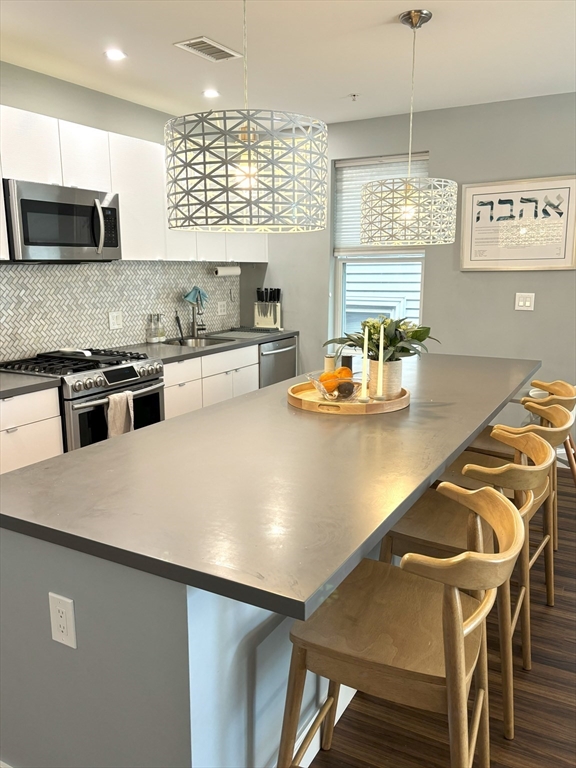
(304, 55)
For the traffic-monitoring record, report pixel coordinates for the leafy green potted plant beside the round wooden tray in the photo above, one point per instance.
(402, 338)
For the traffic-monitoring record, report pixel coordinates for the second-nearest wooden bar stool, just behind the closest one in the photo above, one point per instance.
(437, 526)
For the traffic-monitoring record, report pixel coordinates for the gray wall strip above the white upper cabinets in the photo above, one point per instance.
(25, 89)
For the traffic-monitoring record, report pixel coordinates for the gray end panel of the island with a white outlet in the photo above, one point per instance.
(121, 699)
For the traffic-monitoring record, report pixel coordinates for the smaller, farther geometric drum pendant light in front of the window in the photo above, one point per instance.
(412, 210)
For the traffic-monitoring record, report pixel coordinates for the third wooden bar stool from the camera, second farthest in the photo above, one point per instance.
(556, 425)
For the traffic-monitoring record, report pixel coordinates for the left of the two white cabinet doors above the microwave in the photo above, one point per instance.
(29, 146)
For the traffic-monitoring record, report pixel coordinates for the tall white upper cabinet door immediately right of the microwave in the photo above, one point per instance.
(137, 170)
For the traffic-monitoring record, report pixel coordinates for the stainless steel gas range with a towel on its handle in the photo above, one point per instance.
(88, 377)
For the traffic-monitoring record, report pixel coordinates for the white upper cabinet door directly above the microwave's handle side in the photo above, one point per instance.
(85, 157)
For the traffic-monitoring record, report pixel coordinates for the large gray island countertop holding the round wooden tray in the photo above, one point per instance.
(279, 504)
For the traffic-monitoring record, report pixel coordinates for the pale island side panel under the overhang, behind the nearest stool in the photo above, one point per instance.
(239, 661)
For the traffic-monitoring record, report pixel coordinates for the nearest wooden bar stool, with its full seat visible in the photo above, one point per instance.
(409, 635)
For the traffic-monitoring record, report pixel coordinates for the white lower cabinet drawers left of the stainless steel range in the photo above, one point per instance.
(31, 429)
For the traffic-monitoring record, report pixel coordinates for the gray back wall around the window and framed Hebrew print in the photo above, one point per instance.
(472, 313)
